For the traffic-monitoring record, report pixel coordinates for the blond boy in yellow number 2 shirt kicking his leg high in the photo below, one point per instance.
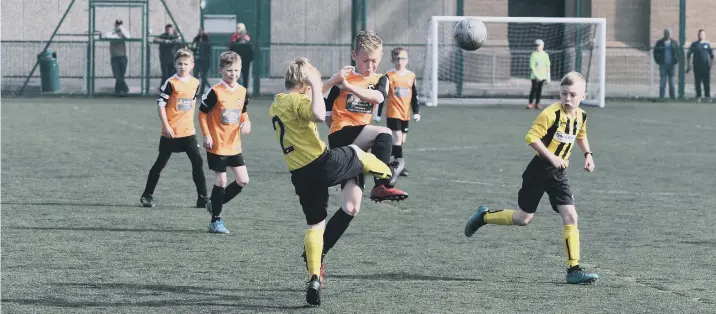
(314, 168)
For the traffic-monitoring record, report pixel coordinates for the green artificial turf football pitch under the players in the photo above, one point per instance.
(76, 240)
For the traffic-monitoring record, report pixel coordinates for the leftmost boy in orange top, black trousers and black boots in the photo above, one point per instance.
(176, 112)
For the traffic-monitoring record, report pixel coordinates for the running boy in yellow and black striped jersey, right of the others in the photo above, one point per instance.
(552, 135)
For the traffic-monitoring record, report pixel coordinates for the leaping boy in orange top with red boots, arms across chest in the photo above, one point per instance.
(350, 106)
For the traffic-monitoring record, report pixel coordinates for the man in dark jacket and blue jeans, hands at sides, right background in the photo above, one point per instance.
(666, 55)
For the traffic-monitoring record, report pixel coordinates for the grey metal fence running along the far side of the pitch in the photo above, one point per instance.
(631, 72)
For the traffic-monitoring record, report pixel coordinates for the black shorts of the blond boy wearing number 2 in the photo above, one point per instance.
(313, 180)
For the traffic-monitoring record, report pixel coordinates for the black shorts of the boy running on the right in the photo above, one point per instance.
(540, 177)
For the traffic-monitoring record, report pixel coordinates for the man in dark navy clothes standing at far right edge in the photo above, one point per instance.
(703, 59)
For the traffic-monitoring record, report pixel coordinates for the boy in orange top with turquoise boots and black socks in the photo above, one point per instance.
(223, 118)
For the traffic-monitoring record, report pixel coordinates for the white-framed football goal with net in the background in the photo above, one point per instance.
(499, 73)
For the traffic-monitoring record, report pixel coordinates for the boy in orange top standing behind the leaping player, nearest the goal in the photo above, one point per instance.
(402, 97)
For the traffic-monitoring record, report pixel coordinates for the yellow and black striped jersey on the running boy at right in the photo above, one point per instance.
(557, 130)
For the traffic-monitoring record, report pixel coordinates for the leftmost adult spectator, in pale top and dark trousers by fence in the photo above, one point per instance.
(118, 54)
